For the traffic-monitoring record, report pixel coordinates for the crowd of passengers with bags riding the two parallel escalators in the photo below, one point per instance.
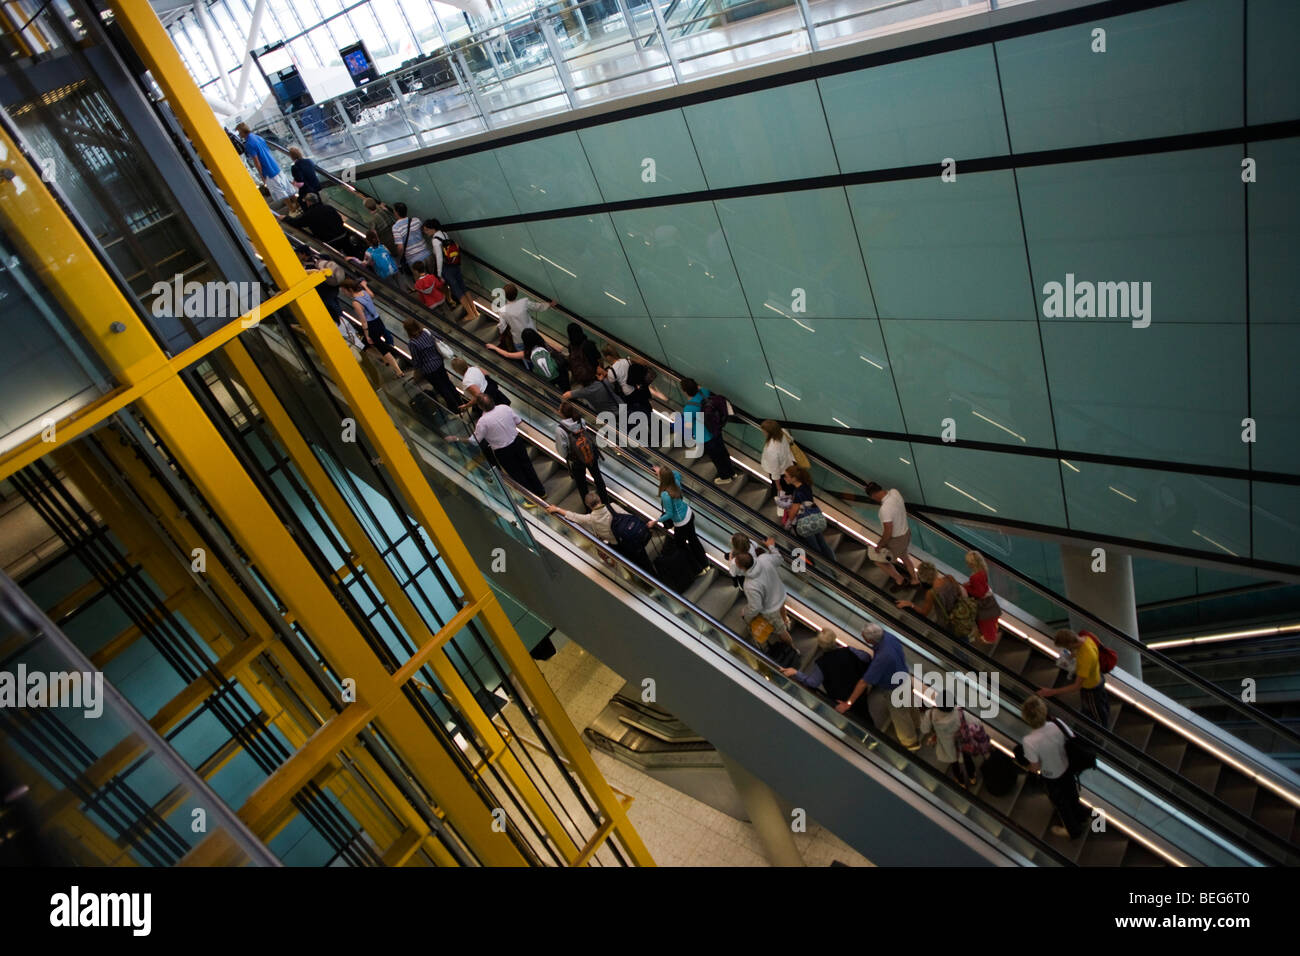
(604, 380)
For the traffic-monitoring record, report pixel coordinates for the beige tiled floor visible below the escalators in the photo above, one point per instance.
(678, 830)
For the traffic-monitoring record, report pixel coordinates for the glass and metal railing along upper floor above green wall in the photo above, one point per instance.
(547, 62)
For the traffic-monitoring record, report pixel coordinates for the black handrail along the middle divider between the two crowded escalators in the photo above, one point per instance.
(1136, 762)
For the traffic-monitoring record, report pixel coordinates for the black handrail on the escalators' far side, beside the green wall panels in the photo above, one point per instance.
(934, 527)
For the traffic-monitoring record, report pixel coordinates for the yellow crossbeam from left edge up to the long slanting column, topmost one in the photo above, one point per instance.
(85, 419)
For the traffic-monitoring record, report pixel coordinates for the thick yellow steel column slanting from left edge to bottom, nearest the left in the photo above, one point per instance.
(49, 243)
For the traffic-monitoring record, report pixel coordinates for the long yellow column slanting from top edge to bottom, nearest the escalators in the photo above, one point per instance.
(155, 49)
